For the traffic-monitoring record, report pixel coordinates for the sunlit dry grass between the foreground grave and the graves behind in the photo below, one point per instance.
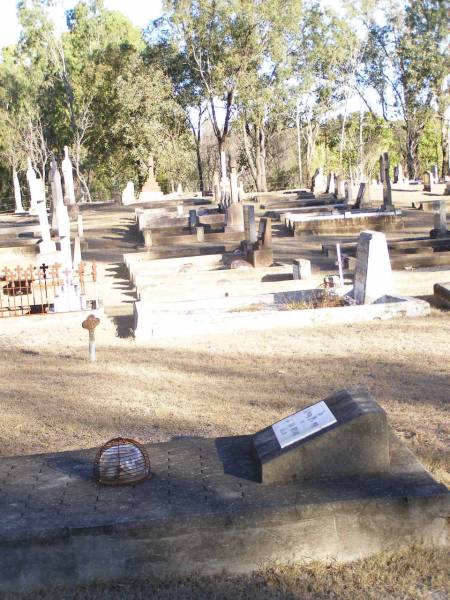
(52, 399)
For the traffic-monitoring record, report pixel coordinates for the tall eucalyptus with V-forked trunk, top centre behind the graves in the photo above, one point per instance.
(227, 45)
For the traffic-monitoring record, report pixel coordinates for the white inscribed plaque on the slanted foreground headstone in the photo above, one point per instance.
(303, 424)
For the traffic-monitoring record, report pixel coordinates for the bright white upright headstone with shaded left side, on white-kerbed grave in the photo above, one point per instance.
(373, 274)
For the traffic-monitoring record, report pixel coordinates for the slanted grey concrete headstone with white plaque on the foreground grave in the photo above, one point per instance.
(345, 435)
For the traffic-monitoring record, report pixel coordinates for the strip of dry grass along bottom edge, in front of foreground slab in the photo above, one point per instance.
(417, 573)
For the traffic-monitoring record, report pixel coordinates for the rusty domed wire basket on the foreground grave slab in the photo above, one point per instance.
(121, 461)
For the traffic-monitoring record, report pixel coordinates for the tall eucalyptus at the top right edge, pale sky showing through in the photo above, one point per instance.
(406, 61)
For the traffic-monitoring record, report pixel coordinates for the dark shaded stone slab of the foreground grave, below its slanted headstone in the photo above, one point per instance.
(204, 509)
